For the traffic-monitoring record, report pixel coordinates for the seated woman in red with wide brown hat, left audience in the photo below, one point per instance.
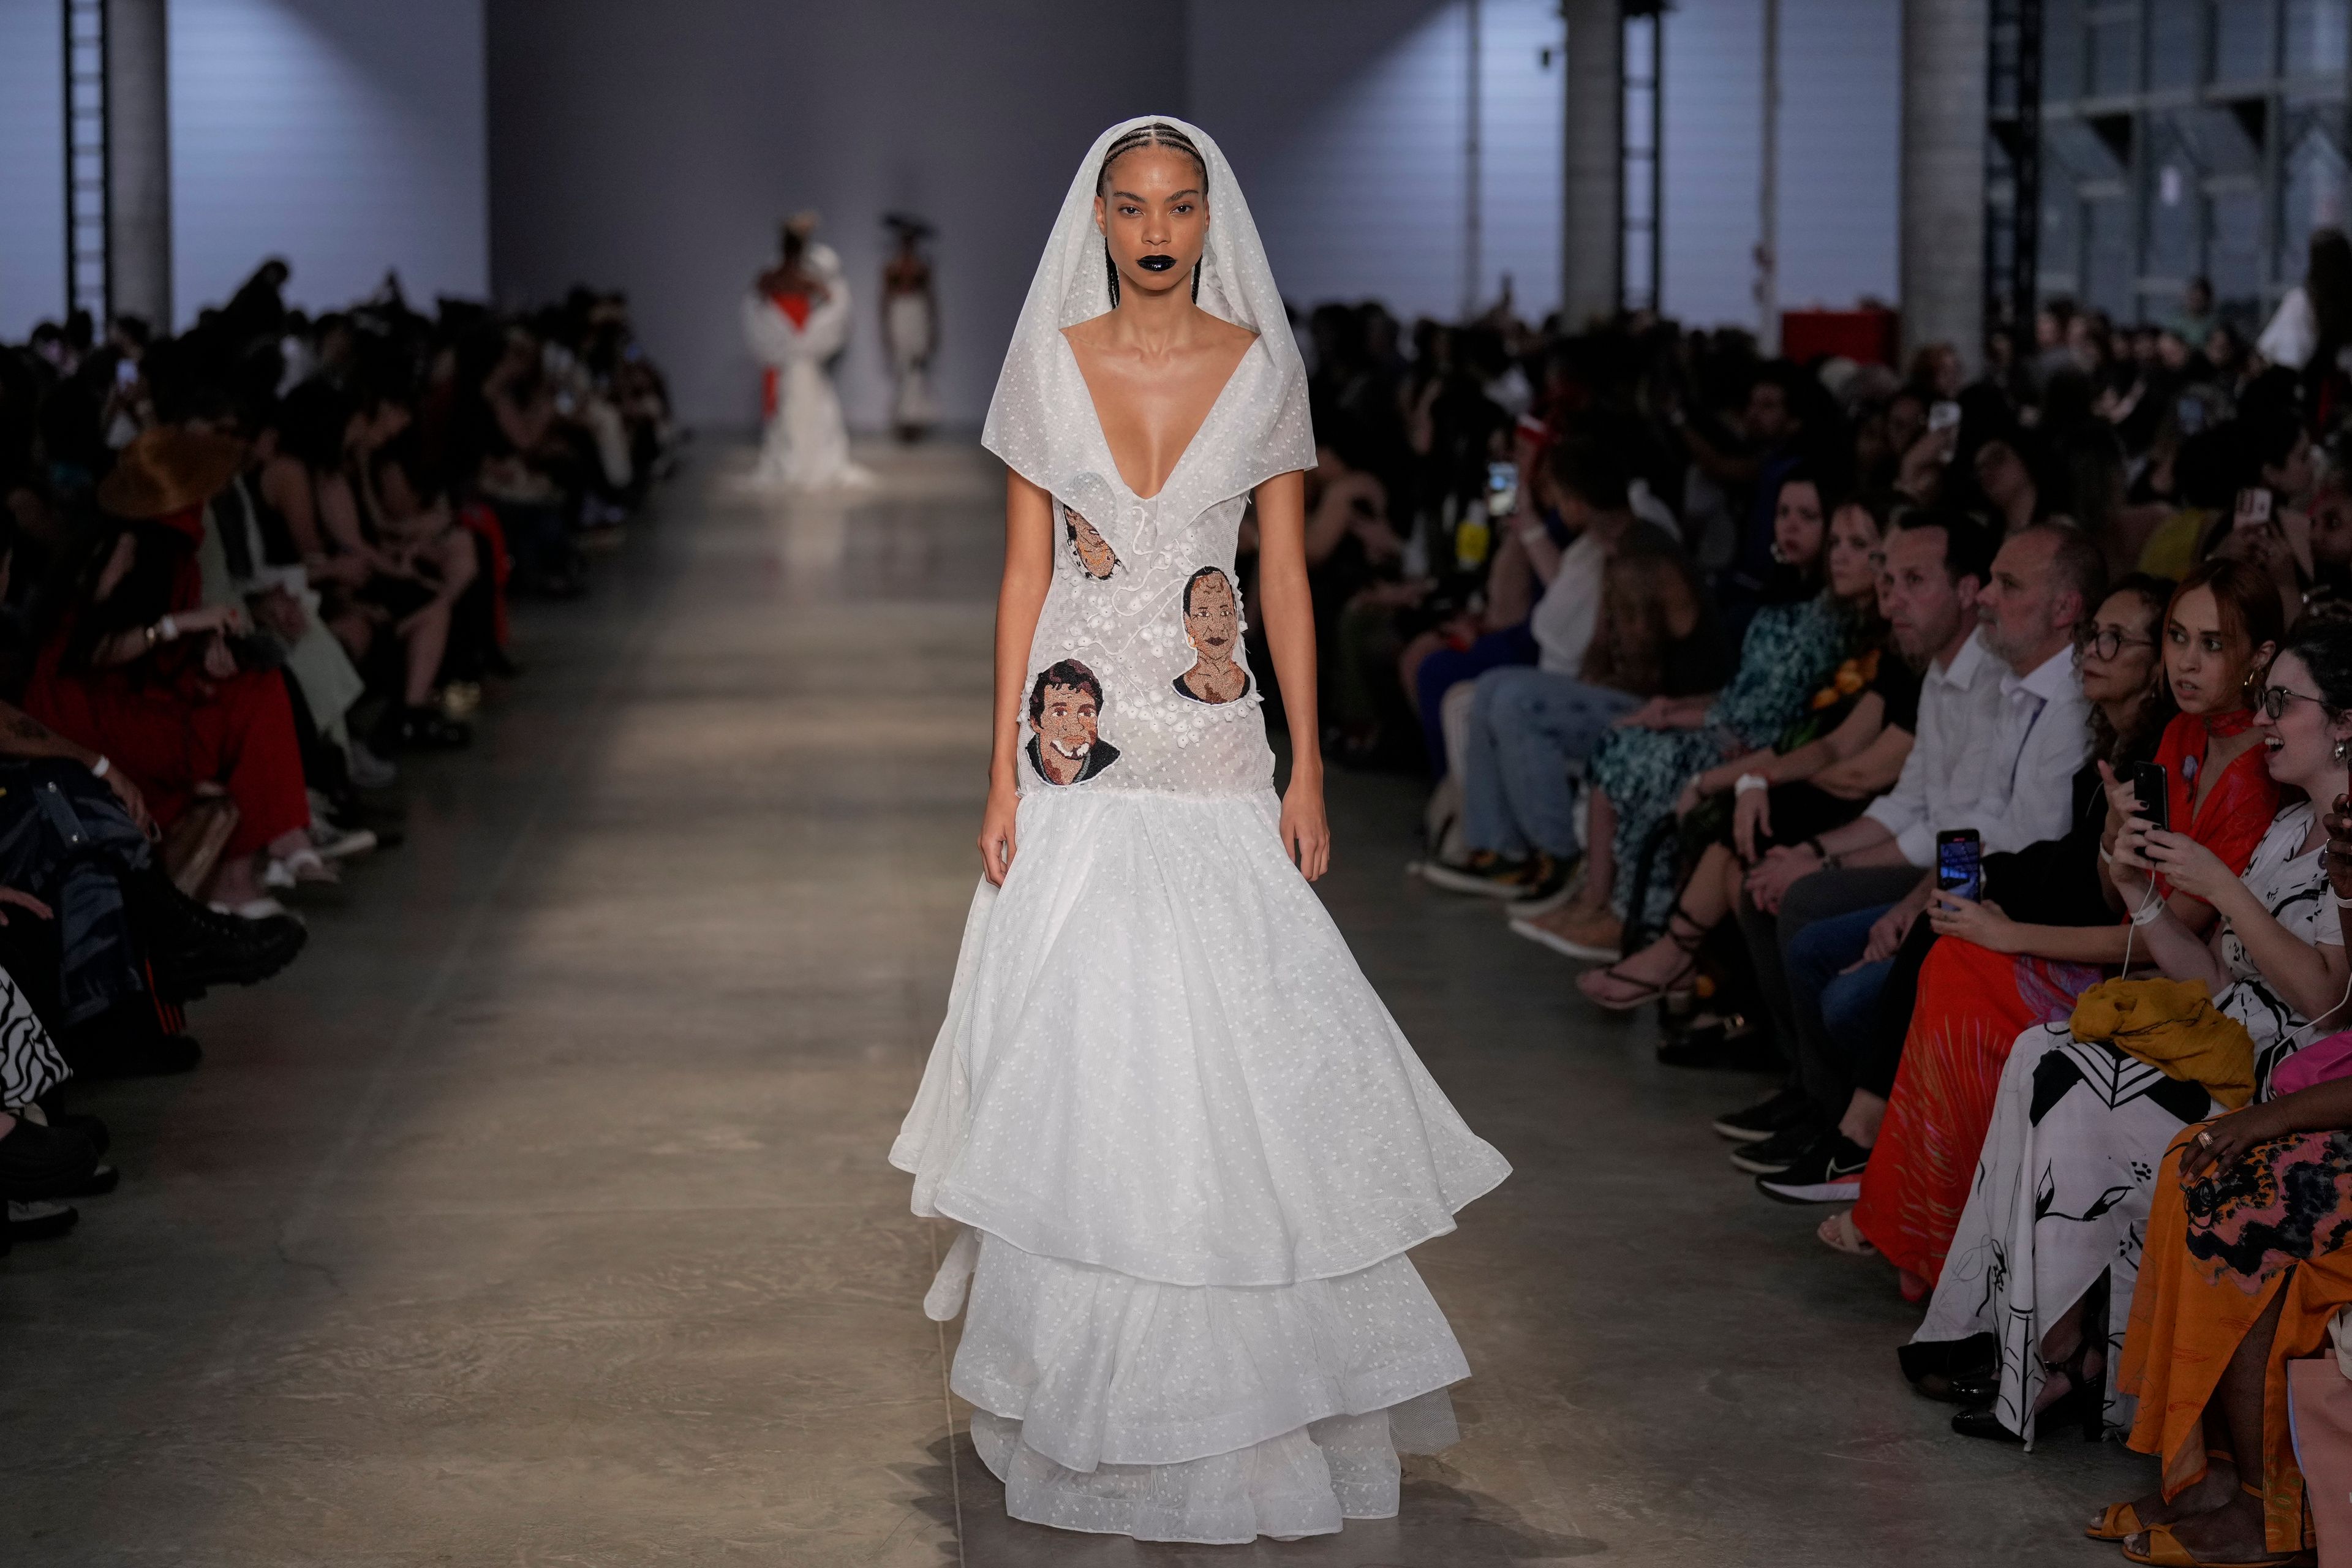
(147, 676)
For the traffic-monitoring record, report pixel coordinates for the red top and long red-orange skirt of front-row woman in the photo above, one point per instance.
(1972, 1010)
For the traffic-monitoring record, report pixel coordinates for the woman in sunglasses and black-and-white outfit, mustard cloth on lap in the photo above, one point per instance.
(2036, 1296)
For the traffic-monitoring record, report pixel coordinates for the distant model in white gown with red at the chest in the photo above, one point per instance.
(799, 321)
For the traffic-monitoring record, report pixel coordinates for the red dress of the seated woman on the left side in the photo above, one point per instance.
(173, 728)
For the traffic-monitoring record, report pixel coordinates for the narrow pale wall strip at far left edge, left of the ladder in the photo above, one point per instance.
(32, 166)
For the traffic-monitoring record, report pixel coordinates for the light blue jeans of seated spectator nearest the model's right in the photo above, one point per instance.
(1525, 732)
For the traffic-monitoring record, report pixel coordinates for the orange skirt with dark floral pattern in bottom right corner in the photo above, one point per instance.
(2189, 1318)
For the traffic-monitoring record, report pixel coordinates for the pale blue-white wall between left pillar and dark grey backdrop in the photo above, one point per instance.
(342, 138)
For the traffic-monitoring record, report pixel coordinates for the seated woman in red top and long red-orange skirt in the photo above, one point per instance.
(1991, 977)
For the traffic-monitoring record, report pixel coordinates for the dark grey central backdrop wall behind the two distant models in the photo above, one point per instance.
(657, 147)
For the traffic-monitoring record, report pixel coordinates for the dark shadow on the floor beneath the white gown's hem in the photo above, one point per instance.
(1438, 1527)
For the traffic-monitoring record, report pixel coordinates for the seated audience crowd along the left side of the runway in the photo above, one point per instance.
(253, 575)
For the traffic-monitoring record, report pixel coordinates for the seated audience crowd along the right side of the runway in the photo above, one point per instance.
(1960, 744)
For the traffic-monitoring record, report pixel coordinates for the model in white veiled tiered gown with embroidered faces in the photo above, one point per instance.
(1184, 1139)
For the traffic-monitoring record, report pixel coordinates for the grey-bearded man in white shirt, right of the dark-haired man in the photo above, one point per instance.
(2003, 730)
